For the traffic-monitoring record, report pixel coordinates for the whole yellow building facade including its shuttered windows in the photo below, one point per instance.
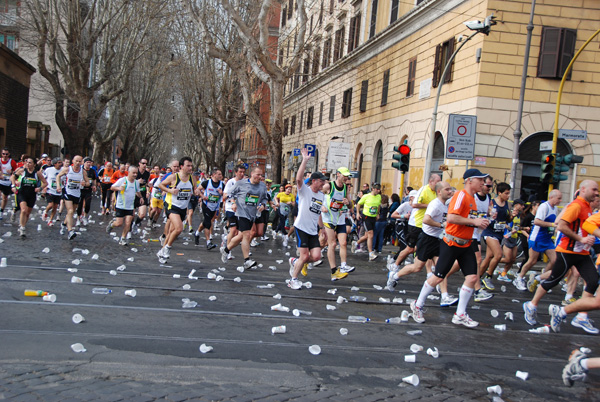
(379, 89)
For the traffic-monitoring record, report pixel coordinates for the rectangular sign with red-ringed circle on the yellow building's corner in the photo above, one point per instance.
(461, 137)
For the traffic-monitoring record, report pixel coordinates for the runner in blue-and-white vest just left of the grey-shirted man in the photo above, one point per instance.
(211, 193)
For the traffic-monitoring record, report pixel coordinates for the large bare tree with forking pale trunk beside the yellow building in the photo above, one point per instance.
(251, 20)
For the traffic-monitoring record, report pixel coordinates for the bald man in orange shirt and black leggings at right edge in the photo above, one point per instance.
(573, 250)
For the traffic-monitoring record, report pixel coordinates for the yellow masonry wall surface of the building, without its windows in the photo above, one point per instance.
(488, 89)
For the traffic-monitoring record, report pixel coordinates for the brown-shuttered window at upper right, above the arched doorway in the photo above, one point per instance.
(557, 48)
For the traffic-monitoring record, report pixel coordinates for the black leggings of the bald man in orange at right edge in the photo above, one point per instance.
(564, 262)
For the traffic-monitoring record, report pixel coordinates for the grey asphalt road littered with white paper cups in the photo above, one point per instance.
(147, 347)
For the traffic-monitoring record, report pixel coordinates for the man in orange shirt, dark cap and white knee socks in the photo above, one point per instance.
(462, 219)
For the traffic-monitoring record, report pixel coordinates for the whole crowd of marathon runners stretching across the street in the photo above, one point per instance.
(435, 227)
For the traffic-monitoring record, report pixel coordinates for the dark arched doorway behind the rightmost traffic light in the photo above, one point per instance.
(530, 158)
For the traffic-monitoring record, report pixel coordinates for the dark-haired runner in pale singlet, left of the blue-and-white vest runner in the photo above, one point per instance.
(179, 188)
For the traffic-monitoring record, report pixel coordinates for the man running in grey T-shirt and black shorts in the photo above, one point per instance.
(250, 197)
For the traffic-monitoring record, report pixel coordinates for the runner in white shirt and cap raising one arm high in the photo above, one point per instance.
(310, 207)
